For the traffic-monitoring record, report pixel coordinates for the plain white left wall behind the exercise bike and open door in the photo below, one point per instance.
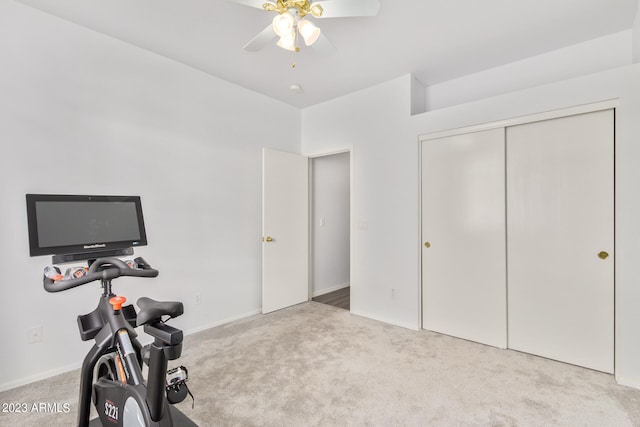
(82, 113)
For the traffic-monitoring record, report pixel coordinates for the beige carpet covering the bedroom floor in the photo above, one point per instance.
(316, 365)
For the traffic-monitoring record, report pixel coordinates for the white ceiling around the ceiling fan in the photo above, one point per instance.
(436, 40)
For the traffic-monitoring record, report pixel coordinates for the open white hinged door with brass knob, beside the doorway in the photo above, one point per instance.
(285, 230)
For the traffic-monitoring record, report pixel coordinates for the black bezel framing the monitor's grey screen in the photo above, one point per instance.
(84, 247)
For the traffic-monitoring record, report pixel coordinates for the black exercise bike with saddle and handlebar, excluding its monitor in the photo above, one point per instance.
(120, 394)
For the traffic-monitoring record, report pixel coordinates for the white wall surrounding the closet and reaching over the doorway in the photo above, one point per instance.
(386, 192)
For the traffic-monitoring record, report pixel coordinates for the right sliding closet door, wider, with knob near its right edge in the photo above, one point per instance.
(560, 239)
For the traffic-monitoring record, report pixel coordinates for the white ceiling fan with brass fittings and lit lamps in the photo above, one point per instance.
(291, 21)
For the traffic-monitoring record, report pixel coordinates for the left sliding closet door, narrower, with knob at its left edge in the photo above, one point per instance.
(463, 226)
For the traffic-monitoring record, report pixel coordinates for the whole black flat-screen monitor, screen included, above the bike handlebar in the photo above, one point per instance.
(74, 224)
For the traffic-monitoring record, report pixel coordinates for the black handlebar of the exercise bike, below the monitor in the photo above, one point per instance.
(113, 268)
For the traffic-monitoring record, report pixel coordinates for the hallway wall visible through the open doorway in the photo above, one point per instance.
(330, 197)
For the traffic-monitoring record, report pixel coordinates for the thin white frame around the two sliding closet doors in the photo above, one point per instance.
(547, 115)
